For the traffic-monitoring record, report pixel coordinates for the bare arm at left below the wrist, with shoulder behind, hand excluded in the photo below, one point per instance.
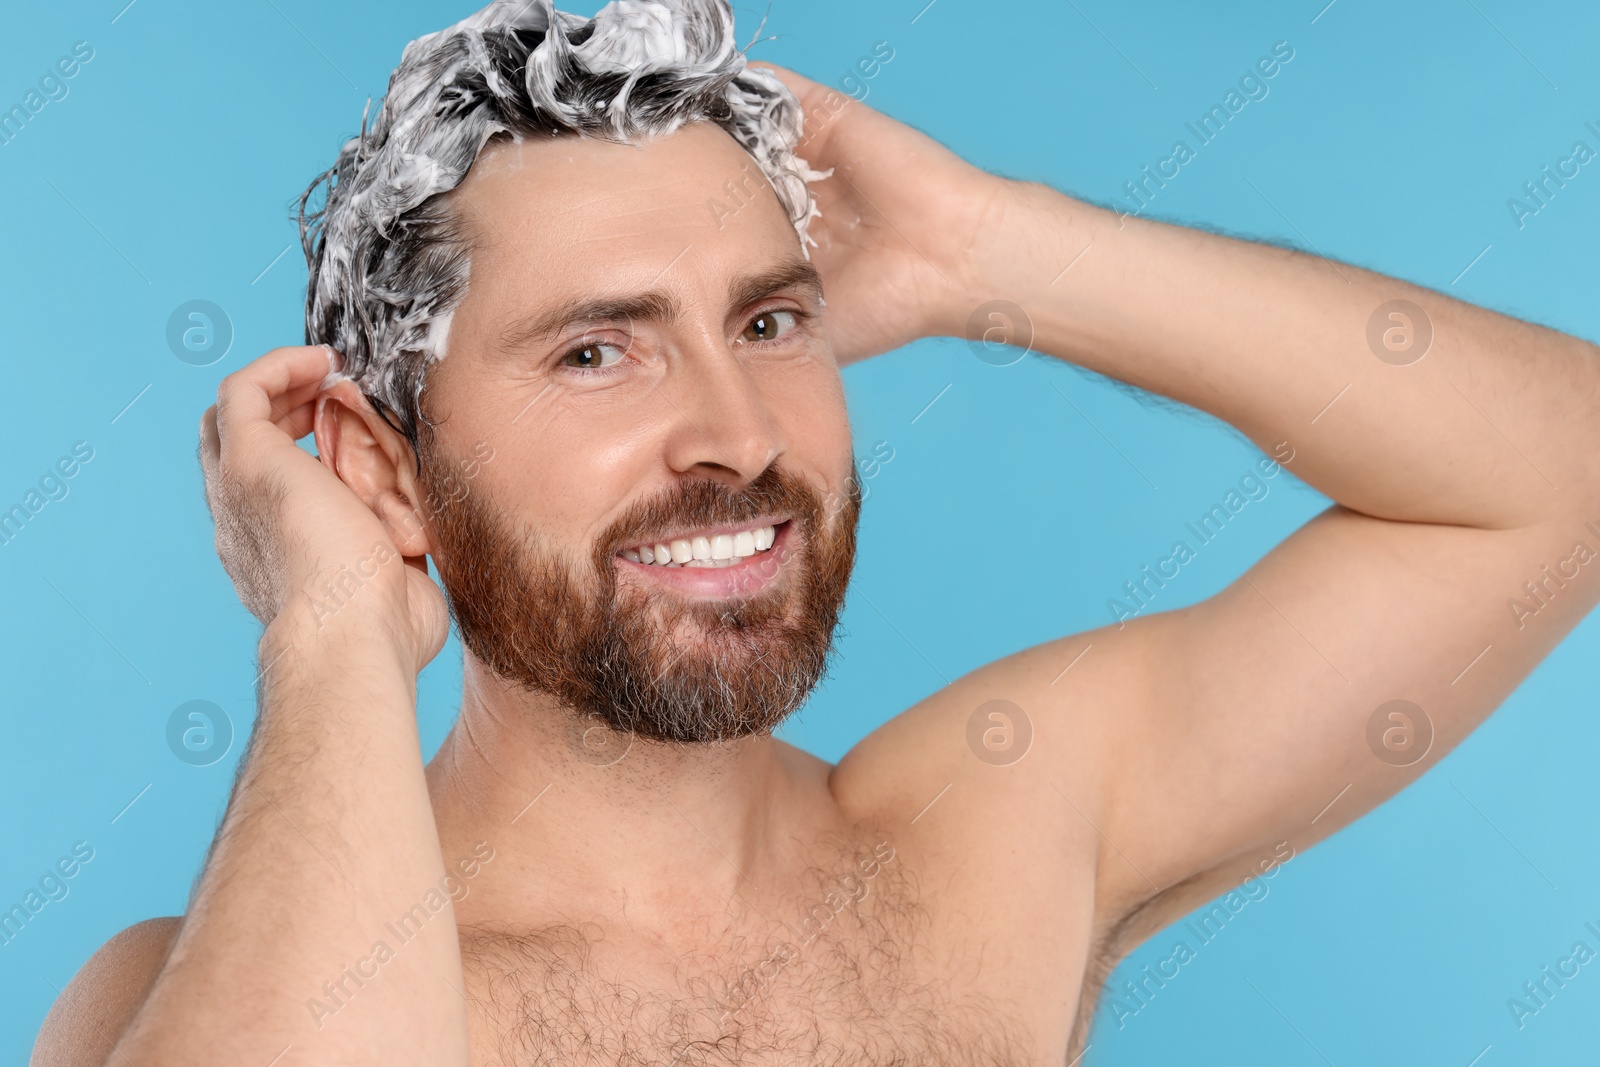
(329, 842)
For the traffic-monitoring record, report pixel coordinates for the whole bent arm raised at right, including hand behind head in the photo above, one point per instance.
(1458, 444)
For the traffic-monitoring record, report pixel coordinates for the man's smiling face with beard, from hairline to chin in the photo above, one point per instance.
(641, 354)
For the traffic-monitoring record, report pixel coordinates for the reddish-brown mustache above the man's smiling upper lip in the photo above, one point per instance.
(708, 503)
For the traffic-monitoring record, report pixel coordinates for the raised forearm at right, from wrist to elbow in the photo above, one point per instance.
(1398, 402)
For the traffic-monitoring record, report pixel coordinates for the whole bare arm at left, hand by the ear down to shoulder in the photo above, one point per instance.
(303, 943)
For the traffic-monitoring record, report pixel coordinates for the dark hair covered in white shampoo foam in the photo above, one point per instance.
(388, 254)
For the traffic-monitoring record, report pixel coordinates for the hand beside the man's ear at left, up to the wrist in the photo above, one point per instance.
(284, 519)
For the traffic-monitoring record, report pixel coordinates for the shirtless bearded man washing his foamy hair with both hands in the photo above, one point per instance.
(625, 446)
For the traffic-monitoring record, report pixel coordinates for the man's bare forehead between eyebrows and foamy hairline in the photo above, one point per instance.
(567, 215)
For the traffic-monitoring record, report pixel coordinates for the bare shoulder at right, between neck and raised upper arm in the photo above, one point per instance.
(1010, 761)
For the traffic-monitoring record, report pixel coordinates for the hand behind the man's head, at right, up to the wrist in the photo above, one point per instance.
(902, 217)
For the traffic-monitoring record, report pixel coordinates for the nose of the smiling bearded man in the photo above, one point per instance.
(724, 425)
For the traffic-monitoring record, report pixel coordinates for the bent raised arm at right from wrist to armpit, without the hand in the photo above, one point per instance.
(1466, 482)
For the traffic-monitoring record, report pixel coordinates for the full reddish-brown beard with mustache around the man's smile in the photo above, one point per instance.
(649, 663)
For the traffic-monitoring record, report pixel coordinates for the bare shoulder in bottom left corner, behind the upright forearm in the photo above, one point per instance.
(103, 997)
